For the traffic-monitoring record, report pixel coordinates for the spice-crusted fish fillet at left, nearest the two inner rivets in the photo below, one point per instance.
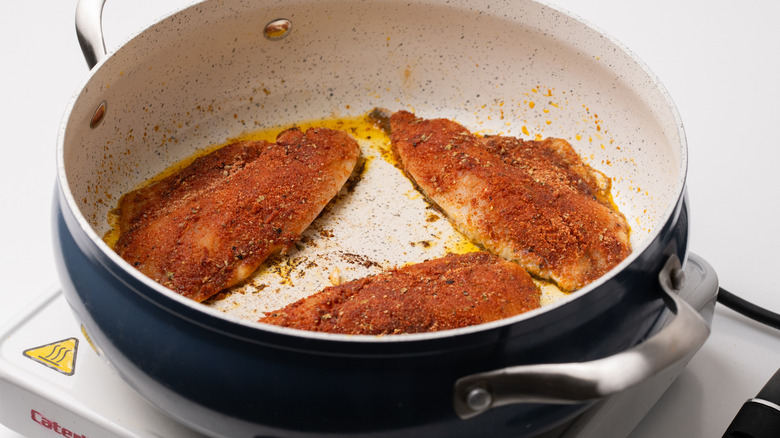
(211, 225)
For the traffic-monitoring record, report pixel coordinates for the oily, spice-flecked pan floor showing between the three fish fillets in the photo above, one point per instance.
(379, 220)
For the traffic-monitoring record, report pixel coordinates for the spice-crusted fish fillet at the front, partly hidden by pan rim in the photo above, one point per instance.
(440, 294)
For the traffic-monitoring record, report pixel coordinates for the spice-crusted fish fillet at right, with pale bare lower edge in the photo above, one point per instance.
(533, 202)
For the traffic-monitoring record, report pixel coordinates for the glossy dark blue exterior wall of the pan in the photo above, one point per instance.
(232, 379)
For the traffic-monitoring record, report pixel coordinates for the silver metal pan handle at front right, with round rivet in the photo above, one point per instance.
(567, 383)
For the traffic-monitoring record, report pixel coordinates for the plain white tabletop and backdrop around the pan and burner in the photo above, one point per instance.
(720, 61)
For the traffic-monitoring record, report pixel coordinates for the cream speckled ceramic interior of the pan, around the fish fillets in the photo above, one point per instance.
(208, 74)
